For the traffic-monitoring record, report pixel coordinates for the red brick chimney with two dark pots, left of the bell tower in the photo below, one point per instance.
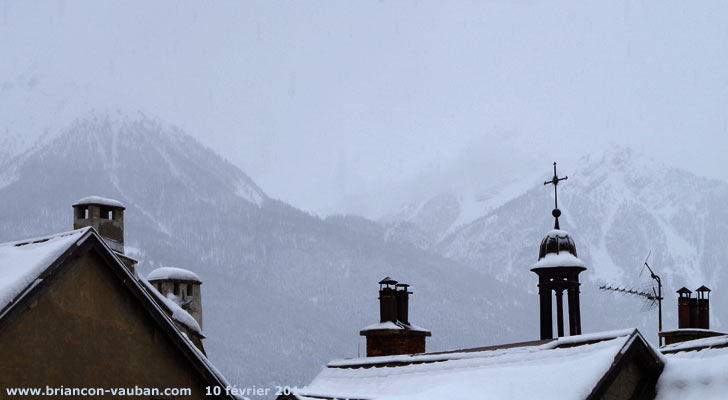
(394, 334)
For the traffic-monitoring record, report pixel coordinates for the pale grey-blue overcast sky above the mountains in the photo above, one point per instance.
(322, 100)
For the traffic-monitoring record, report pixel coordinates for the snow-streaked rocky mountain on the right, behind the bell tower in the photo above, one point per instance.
(618, 205)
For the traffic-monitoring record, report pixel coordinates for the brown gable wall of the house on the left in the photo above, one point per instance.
(87, 330)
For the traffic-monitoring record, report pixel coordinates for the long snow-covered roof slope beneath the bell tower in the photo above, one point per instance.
(573, 366)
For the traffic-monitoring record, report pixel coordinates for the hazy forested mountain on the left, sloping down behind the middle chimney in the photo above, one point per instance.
(283, 291)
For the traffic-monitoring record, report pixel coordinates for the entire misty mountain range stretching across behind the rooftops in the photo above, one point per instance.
(285, 291)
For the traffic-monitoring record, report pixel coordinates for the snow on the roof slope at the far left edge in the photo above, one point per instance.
(21, 262)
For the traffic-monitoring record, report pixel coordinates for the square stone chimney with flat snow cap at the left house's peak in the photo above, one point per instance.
(106, 216)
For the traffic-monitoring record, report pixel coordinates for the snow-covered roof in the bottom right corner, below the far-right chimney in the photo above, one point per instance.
(695, 373)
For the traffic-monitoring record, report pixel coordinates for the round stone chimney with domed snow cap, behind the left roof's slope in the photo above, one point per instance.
(182, 287)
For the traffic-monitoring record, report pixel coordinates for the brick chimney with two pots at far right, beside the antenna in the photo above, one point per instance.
(693, 317)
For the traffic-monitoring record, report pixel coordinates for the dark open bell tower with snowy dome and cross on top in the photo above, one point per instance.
(558, 270)
